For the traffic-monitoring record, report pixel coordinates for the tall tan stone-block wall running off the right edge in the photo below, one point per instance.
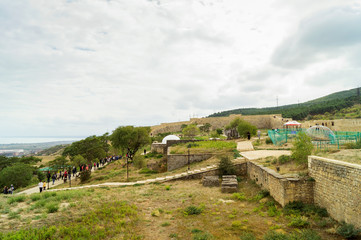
(337, 188)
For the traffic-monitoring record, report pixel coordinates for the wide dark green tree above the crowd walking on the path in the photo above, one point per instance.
(90, 148)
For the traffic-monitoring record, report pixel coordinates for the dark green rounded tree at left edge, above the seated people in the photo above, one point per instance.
(19, 175)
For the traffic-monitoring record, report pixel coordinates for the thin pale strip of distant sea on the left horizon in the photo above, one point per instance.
(15, 140)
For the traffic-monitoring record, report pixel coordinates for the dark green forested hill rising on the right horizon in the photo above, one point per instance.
(330, 104)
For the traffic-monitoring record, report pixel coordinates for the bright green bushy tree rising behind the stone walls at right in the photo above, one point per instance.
(302, 148)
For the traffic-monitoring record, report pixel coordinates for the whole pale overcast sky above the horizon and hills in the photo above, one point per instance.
(78, 68)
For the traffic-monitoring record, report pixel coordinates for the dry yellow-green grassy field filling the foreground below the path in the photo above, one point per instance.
(174, 210)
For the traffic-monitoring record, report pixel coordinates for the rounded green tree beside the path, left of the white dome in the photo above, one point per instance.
(130, 139)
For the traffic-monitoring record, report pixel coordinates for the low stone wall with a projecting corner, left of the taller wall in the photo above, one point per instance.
(281, 188)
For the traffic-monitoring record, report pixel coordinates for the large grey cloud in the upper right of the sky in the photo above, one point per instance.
(324, 35)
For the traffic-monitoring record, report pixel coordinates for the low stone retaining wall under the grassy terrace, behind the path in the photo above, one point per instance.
(175, 161)
